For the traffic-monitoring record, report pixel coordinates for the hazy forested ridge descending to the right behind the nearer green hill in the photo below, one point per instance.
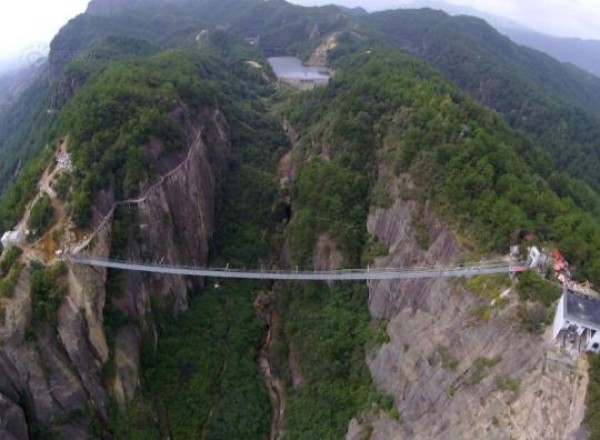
(552, 103)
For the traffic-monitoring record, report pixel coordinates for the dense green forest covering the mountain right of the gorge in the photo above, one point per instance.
(482, 175)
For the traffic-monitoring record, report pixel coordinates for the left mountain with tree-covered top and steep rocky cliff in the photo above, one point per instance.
(178, 155)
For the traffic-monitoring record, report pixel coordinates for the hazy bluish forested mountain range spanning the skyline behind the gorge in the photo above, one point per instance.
(554, 103)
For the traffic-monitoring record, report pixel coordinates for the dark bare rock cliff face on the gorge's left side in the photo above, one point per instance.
(65, 377)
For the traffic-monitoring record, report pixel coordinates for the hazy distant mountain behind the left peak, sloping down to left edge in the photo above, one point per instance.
(284, 28)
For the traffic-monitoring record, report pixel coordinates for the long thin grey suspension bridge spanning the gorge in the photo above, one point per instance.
(483, 268)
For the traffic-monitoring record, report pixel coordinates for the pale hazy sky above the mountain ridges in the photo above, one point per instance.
(27, 25)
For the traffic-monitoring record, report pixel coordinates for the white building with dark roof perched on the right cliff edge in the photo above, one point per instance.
(576, 325)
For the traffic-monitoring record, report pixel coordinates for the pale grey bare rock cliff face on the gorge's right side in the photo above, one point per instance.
(452, 373)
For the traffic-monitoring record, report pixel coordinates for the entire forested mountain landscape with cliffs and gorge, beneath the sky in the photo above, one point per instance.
(434, 142)
